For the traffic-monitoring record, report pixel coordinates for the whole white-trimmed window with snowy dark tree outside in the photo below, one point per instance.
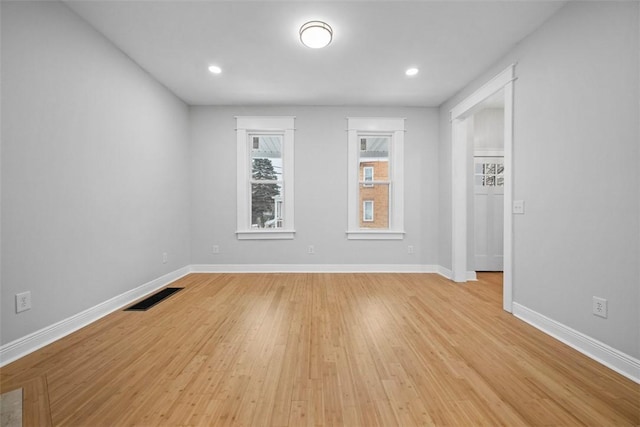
(265, 177)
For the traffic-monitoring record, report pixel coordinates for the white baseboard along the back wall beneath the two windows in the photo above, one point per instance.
(314, 268)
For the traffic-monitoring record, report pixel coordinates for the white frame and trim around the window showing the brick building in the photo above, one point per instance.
(358, 127)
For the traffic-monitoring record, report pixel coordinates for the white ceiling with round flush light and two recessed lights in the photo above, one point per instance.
(264, 63)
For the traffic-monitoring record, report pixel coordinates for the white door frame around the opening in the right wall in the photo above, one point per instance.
(503, 81)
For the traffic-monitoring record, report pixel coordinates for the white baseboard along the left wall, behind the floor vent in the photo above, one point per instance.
(36, 340)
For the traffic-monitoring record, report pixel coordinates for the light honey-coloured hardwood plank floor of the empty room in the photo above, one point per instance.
(321, 349)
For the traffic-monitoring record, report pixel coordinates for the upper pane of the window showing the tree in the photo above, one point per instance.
(266, 157)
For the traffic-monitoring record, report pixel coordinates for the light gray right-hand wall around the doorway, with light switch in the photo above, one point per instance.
(576, 154)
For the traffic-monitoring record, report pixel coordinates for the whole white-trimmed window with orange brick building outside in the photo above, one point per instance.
(376, 188)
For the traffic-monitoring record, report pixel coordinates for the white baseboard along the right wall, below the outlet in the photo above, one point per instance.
(600, 352)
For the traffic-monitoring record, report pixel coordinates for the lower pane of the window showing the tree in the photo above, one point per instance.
(266, 205)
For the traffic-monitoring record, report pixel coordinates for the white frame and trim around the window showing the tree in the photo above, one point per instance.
(246, 127)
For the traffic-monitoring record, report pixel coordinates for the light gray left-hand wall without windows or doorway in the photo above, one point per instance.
(94, 169)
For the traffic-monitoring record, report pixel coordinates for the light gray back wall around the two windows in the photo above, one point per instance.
(320, 189)
